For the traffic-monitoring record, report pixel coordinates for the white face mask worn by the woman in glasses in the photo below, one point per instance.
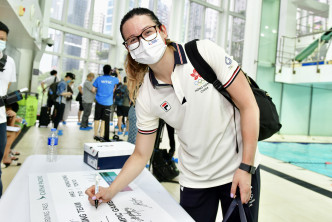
(149, 52)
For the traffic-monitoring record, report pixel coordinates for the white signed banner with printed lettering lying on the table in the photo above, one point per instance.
(72, 205)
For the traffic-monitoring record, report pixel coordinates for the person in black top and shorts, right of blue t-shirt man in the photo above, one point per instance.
(122, 106)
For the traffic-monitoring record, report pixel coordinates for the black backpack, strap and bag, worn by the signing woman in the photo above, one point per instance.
(269, 119)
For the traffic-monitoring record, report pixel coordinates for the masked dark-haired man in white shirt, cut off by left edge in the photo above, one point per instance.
(7, 76)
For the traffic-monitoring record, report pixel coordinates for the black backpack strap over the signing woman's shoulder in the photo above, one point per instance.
(204, 69)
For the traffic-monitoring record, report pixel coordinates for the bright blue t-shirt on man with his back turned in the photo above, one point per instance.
(105, 85)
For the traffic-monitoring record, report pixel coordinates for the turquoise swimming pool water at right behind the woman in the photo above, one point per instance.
(316, 157)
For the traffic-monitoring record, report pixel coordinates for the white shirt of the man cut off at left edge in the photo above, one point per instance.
(7, 76)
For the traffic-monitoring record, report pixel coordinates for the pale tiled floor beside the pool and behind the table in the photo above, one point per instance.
(281, 199)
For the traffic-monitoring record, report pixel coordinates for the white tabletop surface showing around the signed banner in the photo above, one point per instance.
(14, 203)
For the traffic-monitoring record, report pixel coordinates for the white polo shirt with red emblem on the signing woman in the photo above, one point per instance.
(202, 117)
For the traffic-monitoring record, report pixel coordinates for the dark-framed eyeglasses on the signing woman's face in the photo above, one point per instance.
(148, 34)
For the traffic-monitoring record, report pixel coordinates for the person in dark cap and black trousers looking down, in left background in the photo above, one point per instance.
(62, 94)
